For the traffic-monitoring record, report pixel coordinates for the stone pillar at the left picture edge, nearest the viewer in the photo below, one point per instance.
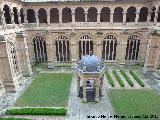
(10, 85)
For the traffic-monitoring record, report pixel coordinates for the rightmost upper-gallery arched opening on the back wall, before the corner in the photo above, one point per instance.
(143, 14)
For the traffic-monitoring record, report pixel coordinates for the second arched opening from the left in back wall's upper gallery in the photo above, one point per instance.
(42, 15)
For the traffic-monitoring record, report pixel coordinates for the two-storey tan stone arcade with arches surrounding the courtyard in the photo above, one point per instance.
(121, 32)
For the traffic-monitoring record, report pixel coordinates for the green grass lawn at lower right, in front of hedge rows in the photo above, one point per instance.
(135, 102)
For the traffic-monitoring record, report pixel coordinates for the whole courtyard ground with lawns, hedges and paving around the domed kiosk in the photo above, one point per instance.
(126, 93)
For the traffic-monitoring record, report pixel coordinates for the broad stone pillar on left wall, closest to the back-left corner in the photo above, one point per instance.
(23, 54)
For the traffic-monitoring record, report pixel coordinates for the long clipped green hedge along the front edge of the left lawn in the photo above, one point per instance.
(37, 111)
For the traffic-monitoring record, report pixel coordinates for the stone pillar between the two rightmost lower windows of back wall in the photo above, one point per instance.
(122, 50)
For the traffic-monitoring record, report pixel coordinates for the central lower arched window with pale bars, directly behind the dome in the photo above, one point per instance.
(85, 45)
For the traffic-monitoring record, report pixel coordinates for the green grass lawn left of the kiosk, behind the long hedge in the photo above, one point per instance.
(47, 90)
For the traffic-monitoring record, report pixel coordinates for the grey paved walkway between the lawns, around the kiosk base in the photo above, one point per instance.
(79, 111)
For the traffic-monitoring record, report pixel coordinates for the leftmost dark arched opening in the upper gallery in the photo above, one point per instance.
(7, 14)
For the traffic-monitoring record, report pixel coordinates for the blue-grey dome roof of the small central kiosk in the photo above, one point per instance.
(91, 62)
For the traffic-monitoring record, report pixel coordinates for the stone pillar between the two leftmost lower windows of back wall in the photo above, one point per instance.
(49, 50)
